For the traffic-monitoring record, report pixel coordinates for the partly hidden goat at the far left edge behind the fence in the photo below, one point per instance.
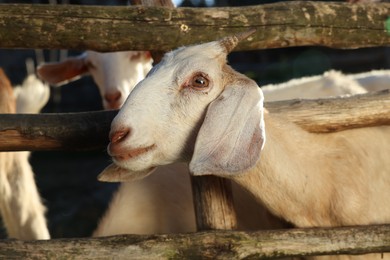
(20, 204)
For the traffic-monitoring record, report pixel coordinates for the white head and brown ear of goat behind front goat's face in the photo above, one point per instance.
(115, 73)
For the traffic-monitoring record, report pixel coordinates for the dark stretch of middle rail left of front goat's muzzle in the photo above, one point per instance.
(68, 131)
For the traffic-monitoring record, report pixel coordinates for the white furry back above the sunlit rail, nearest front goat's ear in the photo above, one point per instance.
(331, 83)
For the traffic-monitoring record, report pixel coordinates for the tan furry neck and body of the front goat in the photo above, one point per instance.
(336, 179)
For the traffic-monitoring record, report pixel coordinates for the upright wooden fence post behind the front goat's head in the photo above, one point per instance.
(213, 197)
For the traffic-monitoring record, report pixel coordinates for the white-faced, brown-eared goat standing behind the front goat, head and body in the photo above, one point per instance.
(133, 208)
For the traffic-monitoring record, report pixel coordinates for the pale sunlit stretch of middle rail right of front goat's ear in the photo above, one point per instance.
(336, 114)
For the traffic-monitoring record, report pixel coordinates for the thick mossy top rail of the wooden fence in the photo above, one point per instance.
(102, 28)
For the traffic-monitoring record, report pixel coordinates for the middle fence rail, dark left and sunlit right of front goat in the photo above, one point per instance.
(89, 130)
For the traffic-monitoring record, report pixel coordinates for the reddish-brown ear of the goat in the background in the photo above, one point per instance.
(59, 73)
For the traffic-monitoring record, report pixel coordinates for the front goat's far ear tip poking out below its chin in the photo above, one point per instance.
(114, 173)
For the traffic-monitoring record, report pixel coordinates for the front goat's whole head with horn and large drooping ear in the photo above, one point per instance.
(191, 104)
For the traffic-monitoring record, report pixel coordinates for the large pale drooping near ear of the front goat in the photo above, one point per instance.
(232, 135)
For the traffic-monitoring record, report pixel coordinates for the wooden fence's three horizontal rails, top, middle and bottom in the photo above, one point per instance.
(278, 25)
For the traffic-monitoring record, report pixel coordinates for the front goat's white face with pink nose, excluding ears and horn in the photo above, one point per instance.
(157, 121)
